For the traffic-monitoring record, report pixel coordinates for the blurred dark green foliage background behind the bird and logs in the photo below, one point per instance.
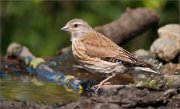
(36, 23)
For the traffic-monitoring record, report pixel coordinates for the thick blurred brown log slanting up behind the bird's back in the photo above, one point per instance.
(131, 23)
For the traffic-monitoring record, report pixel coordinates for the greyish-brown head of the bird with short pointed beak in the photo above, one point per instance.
(77, 28)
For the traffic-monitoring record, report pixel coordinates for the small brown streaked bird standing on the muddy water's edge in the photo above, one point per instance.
(98, 54)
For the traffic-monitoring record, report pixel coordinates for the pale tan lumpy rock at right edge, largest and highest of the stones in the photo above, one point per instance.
(167, 46)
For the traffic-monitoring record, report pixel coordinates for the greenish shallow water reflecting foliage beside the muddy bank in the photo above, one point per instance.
(29, 89)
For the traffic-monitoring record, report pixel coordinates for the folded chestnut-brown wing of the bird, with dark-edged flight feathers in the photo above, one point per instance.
(97, 45)
